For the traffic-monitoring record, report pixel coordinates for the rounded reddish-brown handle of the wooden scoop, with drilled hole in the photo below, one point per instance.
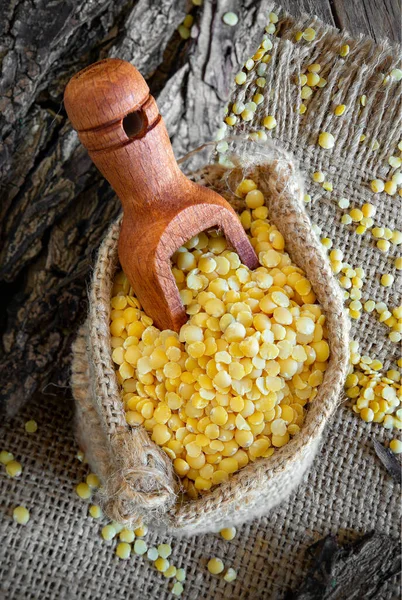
(118, 122)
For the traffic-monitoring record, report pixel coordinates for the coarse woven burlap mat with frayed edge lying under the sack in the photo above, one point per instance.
(60, 554)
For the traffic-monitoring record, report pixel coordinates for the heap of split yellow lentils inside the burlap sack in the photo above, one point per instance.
(232, 385)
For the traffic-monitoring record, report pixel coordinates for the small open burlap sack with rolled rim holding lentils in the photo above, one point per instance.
(137, 477)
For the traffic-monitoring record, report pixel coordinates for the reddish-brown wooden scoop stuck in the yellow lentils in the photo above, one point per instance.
(118, 122)
